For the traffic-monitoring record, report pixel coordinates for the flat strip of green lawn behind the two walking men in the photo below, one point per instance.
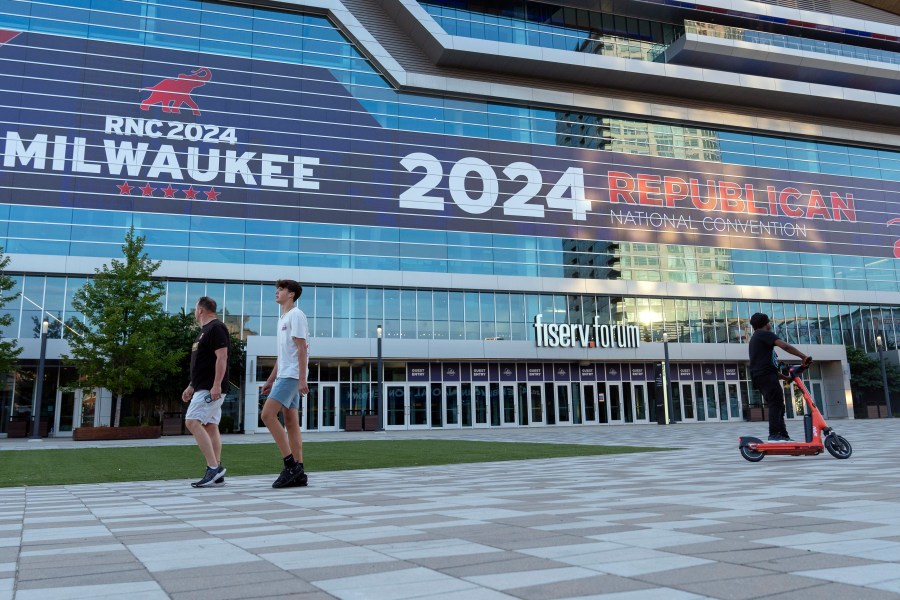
(101, 465)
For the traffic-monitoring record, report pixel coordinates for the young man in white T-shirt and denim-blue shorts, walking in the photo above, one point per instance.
(287, 383)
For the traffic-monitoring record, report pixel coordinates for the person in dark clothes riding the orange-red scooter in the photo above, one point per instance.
(765, 374)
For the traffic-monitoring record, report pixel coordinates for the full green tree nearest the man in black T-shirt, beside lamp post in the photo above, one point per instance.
(122, 345)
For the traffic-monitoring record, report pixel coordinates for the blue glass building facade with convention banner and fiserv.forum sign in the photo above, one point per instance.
(535, 202)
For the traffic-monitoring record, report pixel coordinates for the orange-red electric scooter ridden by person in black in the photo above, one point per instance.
(819, 436)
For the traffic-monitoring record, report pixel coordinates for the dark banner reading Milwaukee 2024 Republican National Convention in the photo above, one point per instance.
(94, 124)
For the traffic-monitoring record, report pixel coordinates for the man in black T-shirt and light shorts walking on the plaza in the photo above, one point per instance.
(209, 373)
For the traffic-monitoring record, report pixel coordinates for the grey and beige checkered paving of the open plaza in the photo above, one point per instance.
(699, 522)
